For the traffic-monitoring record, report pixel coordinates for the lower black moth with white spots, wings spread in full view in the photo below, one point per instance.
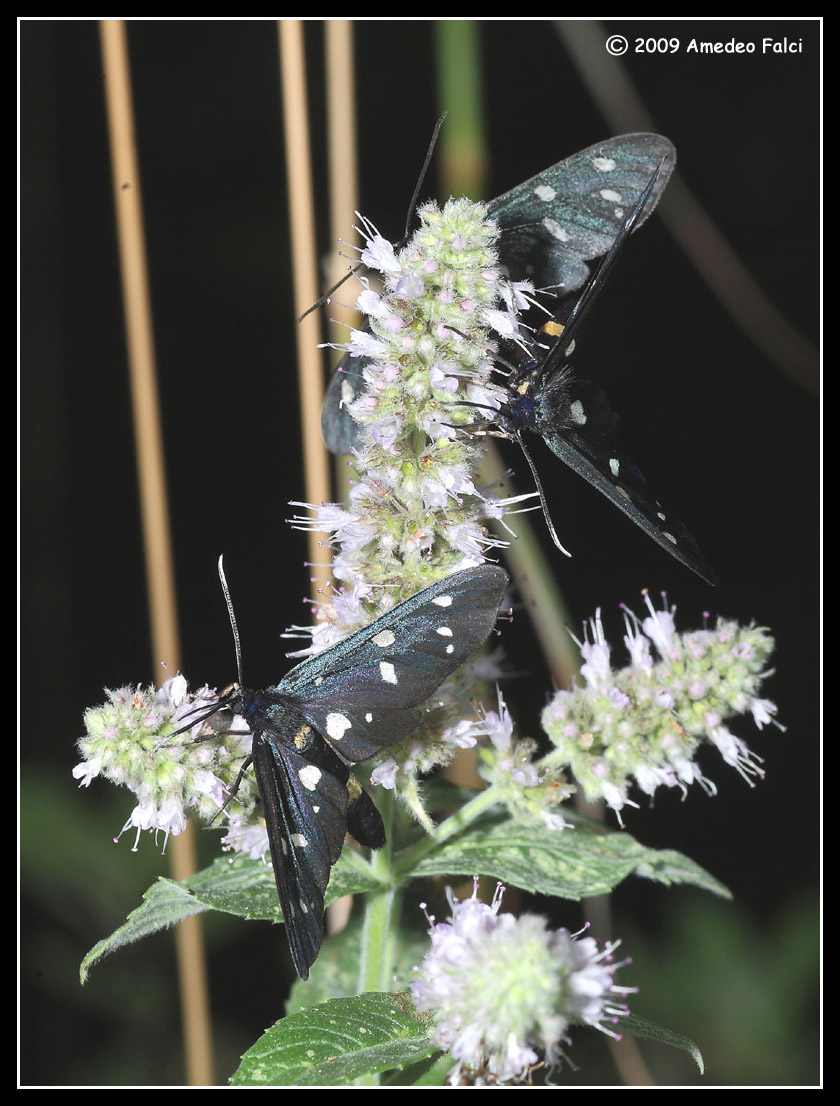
(339, 708)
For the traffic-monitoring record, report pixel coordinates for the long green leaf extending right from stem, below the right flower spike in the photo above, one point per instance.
(578, 862)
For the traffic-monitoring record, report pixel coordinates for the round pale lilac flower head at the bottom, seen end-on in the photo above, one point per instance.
(503, 992)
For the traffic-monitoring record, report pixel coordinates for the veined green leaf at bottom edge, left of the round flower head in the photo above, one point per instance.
(337, 1042)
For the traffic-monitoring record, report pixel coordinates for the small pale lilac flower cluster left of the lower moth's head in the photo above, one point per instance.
(128, 743)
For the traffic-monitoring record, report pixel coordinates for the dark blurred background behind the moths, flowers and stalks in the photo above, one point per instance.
(727, 437)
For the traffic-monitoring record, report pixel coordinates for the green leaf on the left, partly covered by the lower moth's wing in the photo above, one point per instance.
(238, 886)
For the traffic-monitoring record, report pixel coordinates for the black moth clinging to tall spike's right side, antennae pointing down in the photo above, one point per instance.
(575, 420)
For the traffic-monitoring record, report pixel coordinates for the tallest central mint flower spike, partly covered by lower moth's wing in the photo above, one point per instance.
(417, 512)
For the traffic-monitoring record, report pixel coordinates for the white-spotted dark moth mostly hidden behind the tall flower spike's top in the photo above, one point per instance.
(551, 227)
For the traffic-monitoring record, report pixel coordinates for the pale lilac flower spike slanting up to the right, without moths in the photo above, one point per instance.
(642, 725)
